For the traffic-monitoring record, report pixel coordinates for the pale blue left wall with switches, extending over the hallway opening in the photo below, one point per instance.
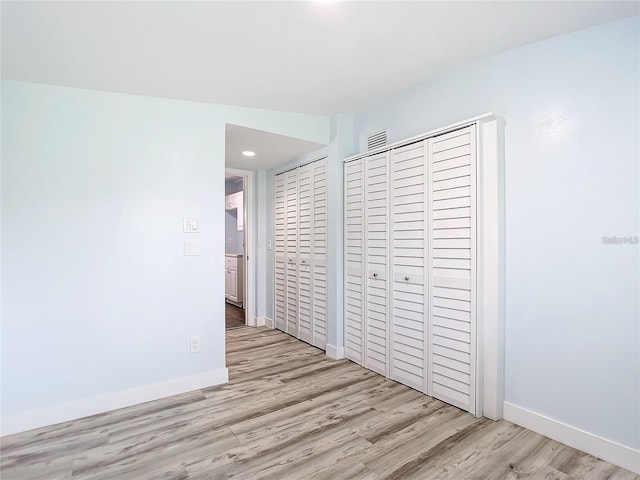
(97, 297)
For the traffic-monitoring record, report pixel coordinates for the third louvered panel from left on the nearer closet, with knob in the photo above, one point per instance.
(407, 229)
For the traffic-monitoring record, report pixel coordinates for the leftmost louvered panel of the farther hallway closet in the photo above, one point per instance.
(280, 226)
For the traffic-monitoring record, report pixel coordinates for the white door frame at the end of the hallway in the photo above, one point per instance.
(248, 260)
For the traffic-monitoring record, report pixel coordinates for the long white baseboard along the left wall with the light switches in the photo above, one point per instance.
(62, 412)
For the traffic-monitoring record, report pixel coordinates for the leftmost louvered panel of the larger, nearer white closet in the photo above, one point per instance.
(354, 305)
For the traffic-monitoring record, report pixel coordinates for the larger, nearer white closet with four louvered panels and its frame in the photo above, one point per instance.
(424, 263)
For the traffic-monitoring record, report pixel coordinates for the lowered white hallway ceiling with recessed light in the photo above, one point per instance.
(271, 149)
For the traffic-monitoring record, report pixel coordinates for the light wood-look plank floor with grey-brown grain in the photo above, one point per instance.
(290, 412)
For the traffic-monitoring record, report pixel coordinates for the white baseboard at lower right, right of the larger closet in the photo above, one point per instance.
(616, 453)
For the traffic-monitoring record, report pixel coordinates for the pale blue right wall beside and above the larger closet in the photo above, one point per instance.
(571, 106)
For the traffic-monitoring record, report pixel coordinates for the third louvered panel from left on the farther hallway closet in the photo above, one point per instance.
(305, 235)
